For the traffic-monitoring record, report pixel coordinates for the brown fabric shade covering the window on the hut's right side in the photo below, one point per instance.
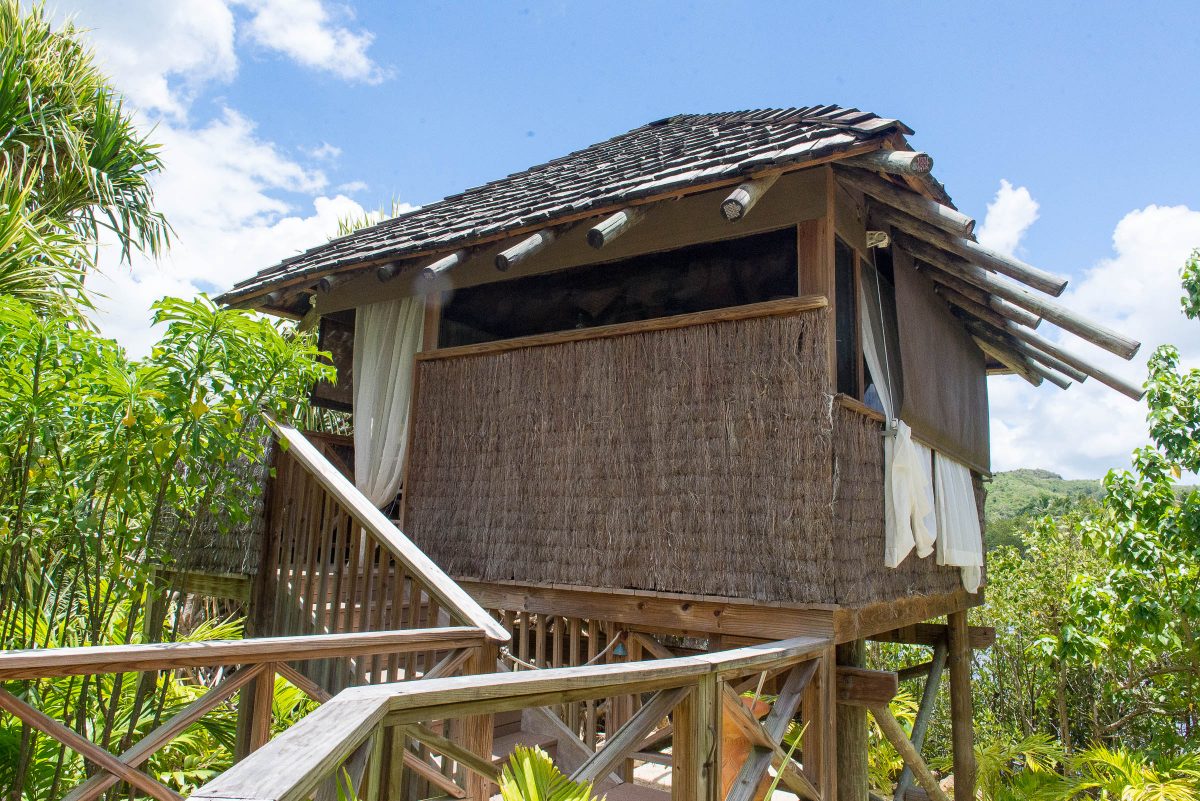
(945, 376)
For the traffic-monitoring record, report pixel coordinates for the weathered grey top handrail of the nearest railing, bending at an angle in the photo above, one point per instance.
(293, 766)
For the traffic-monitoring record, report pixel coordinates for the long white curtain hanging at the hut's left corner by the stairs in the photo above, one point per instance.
(387, 339)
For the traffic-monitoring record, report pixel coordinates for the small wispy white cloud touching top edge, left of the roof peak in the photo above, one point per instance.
(305, 31)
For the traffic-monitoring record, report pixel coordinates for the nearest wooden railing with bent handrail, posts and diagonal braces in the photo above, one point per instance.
(694, 691)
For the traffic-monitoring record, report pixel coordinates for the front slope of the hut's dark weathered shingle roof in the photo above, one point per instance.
(669, 155)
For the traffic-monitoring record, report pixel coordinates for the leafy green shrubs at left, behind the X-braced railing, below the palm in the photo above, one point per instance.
(106, 467)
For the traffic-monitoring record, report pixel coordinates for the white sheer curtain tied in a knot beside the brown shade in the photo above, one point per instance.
(908, 471)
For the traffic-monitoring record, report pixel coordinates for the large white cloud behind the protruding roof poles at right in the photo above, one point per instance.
(1090, 429)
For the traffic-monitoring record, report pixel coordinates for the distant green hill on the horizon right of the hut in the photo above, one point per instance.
(1017, 496)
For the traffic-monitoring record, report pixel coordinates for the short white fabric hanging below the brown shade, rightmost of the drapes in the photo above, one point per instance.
(959, 539)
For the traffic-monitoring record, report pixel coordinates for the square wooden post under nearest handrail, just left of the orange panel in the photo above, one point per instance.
(697, 760)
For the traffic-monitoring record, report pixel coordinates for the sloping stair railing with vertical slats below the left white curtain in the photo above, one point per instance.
(334, 563)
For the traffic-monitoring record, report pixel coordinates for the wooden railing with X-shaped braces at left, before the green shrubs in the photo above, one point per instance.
(255, 665)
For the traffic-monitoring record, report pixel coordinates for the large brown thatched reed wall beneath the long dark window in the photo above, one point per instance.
(695, 461)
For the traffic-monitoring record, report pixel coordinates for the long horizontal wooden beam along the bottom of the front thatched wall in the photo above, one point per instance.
(679, 615)
